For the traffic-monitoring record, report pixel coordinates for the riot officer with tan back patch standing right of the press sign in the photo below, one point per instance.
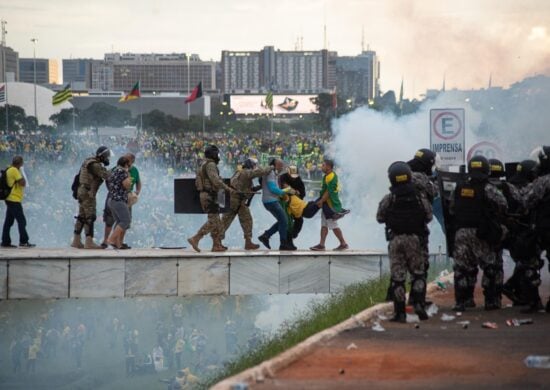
(476, 205)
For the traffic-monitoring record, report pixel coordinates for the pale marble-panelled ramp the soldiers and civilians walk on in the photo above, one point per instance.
(71, 273)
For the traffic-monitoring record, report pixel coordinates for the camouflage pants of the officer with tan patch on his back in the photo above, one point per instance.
(470, 253)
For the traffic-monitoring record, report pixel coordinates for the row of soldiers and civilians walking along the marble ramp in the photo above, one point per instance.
(283, 195)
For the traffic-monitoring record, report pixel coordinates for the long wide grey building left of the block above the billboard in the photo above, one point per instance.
(156, 72)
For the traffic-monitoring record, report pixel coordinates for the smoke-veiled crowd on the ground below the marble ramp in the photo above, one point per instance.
(184, 340)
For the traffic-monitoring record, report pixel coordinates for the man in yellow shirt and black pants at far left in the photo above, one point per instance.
(14, 208)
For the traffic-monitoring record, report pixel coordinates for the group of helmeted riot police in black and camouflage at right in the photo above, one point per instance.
(487, 215)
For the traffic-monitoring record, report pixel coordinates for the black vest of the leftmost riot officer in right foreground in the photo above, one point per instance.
(405, 215)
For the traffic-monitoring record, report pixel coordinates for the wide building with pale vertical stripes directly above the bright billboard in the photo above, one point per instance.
(281, 71)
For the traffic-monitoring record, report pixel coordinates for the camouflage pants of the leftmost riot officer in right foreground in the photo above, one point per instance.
(406, 255)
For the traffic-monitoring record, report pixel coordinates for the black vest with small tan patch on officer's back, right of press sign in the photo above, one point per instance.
(469, 202)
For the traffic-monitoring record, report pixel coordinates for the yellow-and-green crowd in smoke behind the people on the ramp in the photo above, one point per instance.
(51, 161)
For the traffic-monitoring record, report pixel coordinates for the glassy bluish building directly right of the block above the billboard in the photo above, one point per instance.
(358, 77)
